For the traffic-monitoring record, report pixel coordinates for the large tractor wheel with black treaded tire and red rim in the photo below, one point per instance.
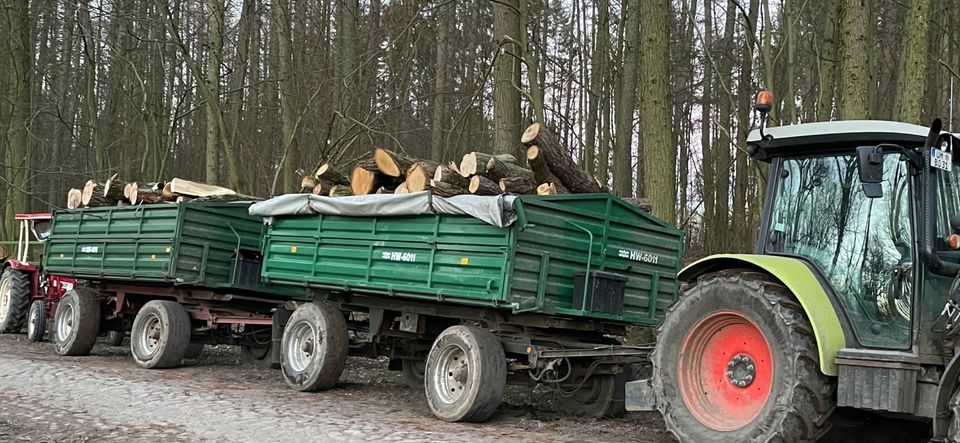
(790, 399)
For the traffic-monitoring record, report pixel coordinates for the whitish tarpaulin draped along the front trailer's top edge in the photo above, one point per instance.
(495, 210)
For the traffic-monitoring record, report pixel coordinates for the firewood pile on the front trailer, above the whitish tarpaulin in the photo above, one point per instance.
(548, 169)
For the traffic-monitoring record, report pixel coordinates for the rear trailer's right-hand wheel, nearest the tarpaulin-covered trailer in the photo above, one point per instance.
(160, 334)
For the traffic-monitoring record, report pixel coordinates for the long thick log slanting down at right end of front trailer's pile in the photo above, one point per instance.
(544, 146)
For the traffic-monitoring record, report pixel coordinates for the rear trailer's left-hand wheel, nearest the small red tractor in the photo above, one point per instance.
(76, 323)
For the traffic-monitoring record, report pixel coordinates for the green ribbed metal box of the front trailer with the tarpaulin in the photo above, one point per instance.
(527, 267)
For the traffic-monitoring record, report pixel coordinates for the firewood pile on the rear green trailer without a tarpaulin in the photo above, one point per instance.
(117, 192)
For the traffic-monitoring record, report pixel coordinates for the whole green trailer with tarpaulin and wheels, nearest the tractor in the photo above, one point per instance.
(465, 303)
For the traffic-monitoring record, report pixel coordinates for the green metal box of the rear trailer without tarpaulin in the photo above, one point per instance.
(191, 243)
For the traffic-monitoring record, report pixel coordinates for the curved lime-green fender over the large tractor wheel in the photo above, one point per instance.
(801, 281)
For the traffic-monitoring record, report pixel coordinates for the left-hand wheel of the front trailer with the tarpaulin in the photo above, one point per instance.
(314, 347)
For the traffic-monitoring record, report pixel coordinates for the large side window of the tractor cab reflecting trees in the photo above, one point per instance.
(863, 246)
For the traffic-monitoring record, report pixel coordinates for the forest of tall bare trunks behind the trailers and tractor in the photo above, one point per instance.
(651, 96)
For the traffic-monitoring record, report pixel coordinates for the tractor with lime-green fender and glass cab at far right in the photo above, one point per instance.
(850, 305)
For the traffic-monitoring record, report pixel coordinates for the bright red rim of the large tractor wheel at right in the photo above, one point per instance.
(725, 371)
